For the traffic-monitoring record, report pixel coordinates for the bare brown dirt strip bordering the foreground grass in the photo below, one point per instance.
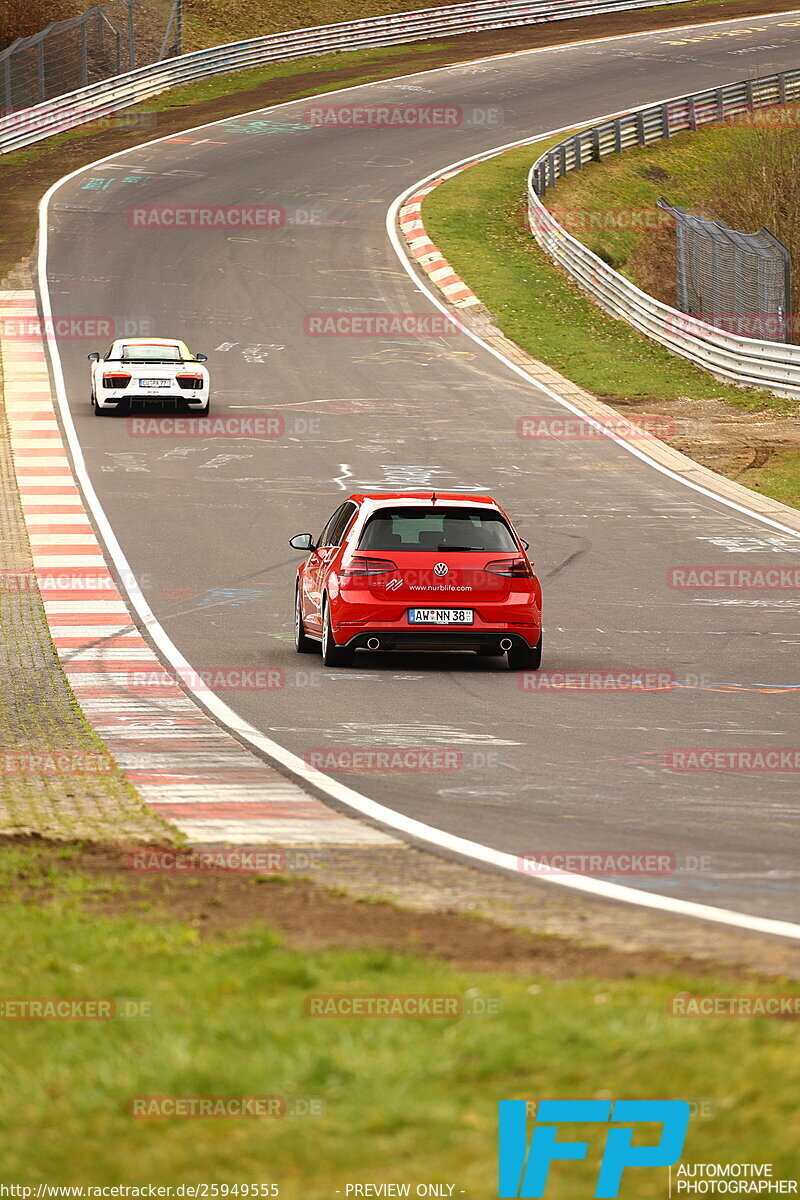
(315, 917)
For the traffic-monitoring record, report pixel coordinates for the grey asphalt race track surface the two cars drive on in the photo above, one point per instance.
(204, 523)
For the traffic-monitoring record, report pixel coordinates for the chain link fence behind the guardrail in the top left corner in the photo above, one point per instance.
(94, 46)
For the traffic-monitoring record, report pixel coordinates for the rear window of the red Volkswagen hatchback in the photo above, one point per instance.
(438, 530)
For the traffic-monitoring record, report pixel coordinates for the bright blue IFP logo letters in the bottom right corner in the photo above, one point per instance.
(524, 1169)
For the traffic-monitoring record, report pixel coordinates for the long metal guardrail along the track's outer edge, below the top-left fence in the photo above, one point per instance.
(26, 127)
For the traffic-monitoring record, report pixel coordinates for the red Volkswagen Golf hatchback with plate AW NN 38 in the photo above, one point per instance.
(418, 572)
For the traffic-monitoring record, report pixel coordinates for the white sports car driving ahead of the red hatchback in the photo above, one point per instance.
(149, 370)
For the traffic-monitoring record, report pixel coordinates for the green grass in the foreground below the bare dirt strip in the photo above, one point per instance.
(406, 1100)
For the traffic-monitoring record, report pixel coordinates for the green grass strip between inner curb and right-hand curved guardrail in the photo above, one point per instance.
(478, 221)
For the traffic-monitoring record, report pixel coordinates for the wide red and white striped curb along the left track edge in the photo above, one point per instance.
(187, 767)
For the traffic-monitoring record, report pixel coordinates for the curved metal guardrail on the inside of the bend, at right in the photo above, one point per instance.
(743, 361)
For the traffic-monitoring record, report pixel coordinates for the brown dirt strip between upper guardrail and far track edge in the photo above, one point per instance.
(23, 183)
